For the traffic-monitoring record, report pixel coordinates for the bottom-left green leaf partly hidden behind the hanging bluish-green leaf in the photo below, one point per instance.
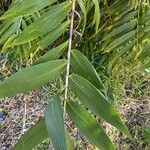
(33, 137)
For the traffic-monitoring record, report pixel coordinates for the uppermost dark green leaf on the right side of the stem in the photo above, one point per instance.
(84, 68)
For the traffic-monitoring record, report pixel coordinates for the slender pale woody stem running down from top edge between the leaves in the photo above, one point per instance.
(69, 48)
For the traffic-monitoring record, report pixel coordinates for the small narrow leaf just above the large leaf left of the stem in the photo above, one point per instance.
(54, 53)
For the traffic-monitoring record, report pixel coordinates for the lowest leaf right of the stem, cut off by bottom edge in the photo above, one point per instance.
(89, 126)
